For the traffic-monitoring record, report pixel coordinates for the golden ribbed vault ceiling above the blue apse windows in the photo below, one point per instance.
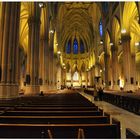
(75, 19)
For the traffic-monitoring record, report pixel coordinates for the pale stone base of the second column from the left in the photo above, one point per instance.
(32, 89)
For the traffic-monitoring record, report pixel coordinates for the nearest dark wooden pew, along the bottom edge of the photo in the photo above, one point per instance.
(58, 130)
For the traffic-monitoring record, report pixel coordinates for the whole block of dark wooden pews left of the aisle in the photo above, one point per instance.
(55, 116)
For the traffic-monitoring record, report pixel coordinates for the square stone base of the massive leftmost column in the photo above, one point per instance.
(8, 91)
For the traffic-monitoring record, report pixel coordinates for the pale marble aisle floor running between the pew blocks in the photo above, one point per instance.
(127, 119)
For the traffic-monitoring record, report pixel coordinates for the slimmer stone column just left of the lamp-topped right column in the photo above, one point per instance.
(115, 74)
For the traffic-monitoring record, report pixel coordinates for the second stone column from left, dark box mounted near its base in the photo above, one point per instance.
(32, 77)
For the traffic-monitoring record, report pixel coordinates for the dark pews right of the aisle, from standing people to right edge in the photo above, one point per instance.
(128, 101)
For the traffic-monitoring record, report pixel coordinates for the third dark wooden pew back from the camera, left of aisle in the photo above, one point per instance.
(52, 113)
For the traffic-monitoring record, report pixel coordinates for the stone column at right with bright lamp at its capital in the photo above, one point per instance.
(127, 62)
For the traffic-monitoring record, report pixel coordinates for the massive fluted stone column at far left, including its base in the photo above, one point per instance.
(9, 40)
